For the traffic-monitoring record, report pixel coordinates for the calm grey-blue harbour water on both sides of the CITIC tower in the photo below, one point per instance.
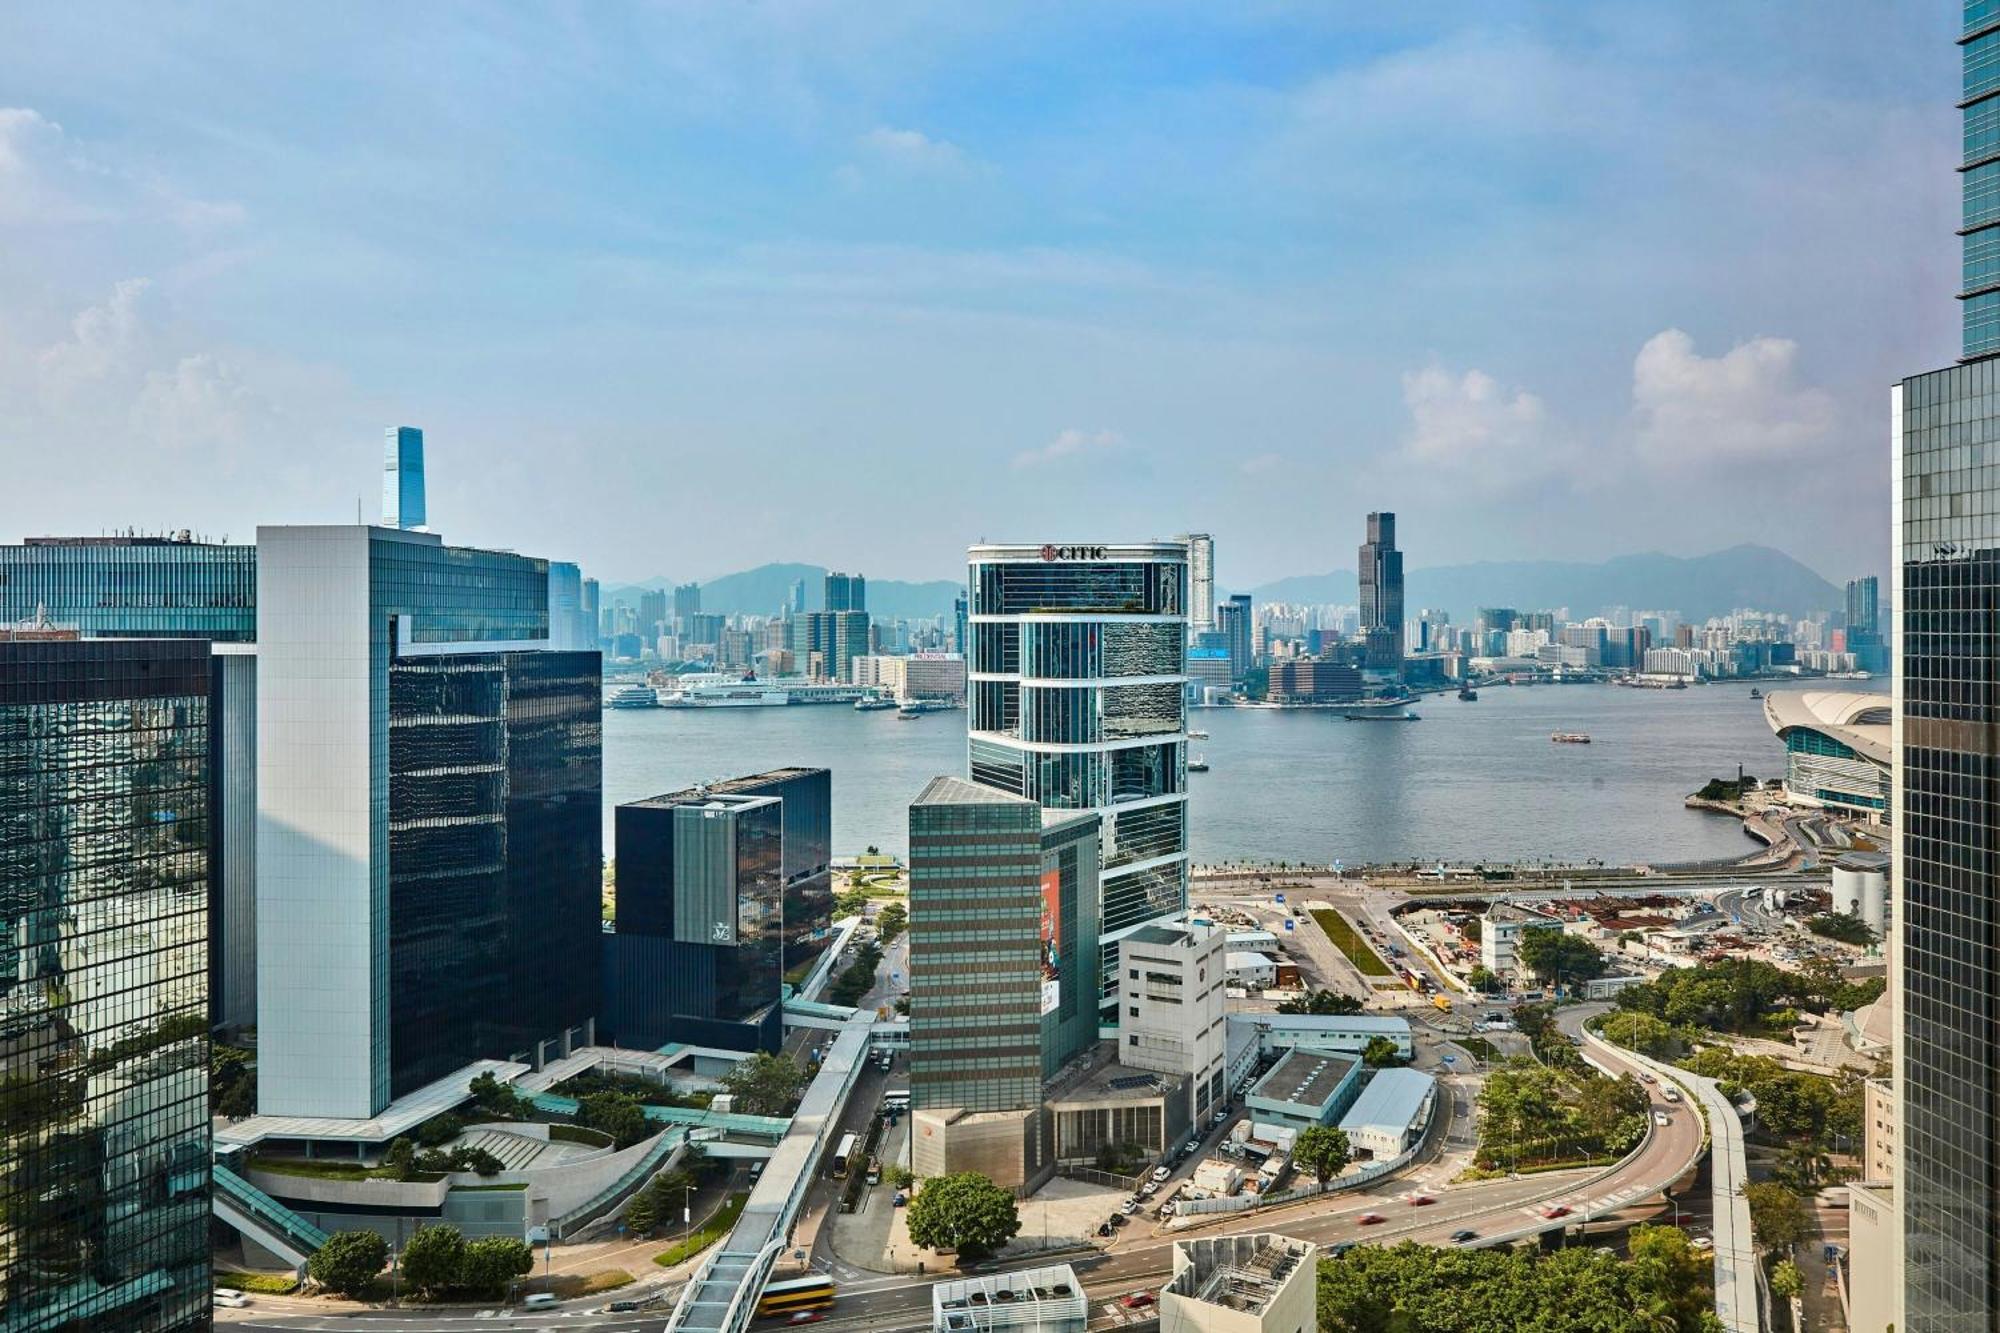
(1467, 782)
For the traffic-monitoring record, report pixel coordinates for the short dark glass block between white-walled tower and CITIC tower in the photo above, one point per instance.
(699, 946)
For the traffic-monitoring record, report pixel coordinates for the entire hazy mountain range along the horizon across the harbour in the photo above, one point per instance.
(1697, 587)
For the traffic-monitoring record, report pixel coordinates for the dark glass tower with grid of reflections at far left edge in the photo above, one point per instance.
(105, 792)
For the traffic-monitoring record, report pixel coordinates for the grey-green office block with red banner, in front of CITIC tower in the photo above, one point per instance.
(1003, 974)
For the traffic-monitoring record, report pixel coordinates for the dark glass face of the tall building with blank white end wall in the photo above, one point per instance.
(495, 850)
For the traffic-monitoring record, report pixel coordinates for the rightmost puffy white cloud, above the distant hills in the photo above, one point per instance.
(1747, 405)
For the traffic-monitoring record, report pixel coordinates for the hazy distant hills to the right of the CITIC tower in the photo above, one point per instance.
(1697, 587)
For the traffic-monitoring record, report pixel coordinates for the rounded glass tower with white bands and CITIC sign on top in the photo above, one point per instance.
(1077, 676)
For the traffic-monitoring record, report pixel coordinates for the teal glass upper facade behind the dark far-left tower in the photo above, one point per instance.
(133, 587)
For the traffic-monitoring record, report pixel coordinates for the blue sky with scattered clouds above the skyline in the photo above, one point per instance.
(683, 289)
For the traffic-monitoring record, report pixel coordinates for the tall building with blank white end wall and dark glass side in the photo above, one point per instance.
(429, 818)
